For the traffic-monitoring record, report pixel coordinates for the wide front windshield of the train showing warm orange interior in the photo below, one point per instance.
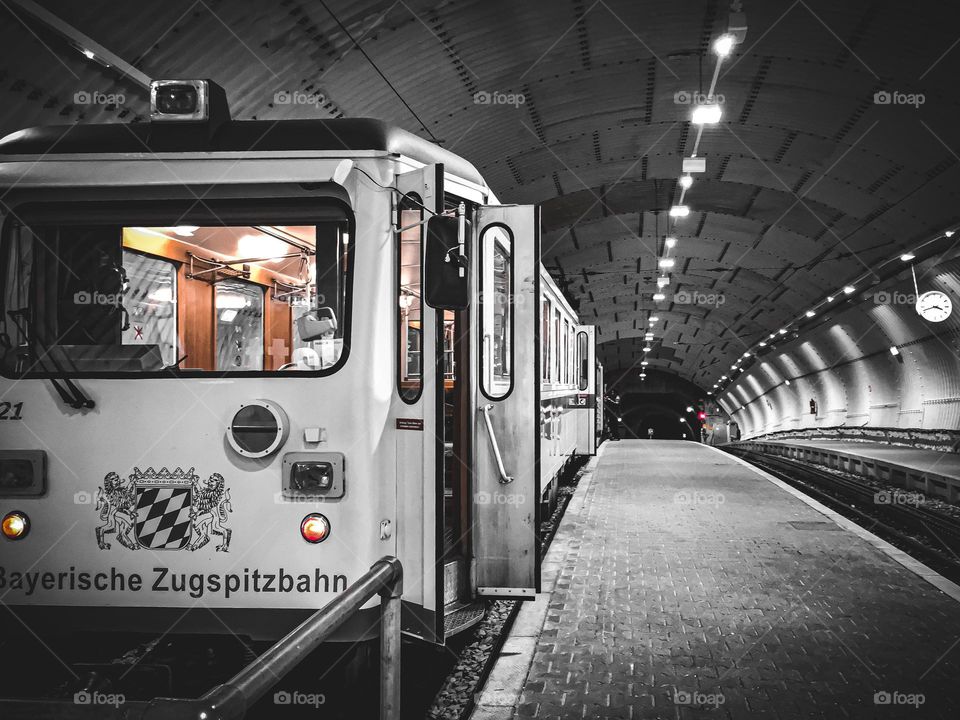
(134, 298)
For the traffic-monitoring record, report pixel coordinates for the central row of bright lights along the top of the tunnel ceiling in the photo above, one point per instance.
(708, 113)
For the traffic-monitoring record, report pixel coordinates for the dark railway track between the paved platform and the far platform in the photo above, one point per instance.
(928, 535)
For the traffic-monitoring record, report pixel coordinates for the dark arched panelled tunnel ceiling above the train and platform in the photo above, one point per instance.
(809, 182)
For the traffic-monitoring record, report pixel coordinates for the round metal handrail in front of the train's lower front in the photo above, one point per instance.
(232, 699)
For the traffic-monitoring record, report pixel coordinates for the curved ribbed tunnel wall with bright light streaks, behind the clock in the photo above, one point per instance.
(844, 365)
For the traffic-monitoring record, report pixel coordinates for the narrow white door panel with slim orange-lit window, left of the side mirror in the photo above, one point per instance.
(419, 412)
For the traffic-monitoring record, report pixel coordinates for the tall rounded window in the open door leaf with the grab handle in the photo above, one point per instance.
(496, 311)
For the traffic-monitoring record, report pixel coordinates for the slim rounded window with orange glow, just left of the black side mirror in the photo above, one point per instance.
(410, 333)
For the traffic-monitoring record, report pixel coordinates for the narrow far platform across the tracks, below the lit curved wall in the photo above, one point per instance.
(932, 472)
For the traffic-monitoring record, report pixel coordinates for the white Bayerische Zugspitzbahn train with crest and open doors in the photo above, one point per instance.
(243, 360)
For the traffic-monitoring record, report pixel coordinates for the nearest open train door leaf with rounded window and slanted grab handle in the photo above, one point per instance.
(505, 349)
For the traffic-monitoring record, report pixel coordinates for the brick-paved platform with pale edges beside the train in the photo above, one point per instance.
(685, 584)
